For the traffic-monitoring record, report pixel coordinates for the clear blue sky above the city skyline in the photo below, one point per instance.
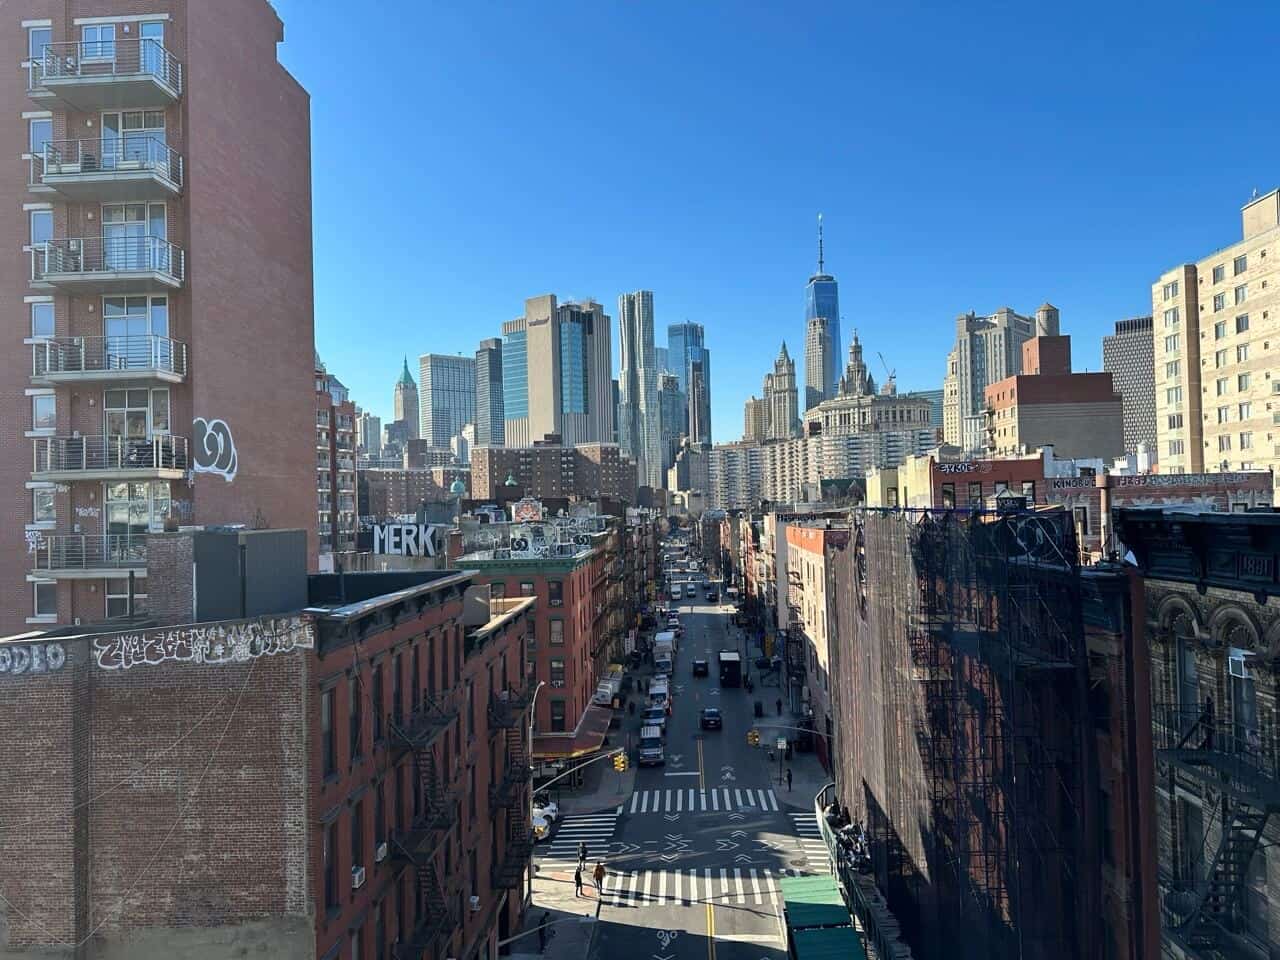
(470, 156)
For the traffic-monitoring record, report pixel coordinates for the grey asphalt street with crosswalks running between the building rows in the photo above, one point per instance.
(697, 852)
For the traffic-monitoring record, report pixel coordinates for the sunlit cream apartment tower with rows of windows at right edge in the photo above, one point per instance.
(1215, 345)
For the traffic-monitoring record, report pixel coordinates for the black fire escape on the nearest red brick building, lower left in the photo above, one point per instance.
(436, 819)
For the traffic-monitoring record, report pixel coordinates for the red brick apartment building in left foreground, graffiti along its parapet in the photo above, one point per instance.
(336, 770)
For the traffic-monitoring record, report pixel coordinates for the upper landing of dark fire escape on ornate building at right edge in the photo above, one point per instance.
(1232, 757)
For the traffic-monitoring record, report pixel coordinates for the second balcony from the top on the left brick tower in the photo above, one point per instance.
(129, 168)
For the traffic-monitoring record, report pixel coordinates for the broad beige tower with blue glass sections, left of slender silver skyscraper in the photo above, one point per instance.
(557, 374)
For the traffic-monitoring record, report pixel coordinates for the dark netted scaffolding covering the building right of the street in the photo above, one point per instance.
(980, 817)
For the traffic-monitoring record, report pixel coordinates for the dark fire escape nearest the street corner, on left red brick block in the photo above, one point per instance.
(510, 796)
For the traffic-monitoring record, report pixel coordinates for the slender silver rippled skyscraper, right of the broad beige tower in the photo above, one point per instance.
(639, 428)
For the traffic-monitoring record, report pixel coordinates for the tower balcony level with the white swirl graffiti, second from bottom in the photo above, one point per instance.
(66, 459)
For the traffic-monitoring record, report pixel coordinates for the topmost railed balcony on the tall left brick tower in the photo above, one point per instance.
(107, 75)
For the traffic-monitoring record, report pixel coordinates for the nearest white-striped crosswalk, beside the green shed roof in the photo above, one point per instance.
(692, 888)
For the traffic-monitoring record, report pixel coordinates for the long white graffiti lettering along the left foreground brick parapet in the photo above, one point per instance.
(213, 643)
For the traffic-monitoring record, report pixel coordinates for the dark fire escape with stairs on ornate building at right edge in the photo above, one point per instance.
(1204, 912)
